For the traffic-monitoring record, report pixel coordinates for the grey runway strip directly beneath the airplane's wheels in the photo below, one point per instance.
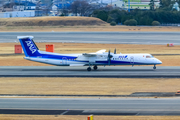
(109, 71)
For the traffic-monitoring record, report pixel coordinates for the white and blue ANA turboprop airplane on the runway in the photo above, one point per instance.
(100, 58)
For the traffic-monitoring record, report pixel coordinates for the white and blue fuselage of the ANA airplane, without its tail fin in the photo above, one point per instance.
(98, 59)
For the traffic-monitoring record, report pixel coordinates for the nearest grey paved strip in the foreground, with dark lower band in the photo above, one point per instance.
(87, 106)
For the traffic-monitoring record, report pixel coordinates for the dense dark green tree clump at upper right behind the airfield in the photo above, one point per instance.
(140, 17)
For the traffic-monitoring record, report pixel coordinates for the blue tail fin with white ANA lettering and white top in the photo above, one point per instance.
(29, 47)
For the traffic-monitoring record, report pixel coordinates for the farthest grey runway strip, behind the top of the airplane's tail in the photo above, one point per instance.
(97, 37)
